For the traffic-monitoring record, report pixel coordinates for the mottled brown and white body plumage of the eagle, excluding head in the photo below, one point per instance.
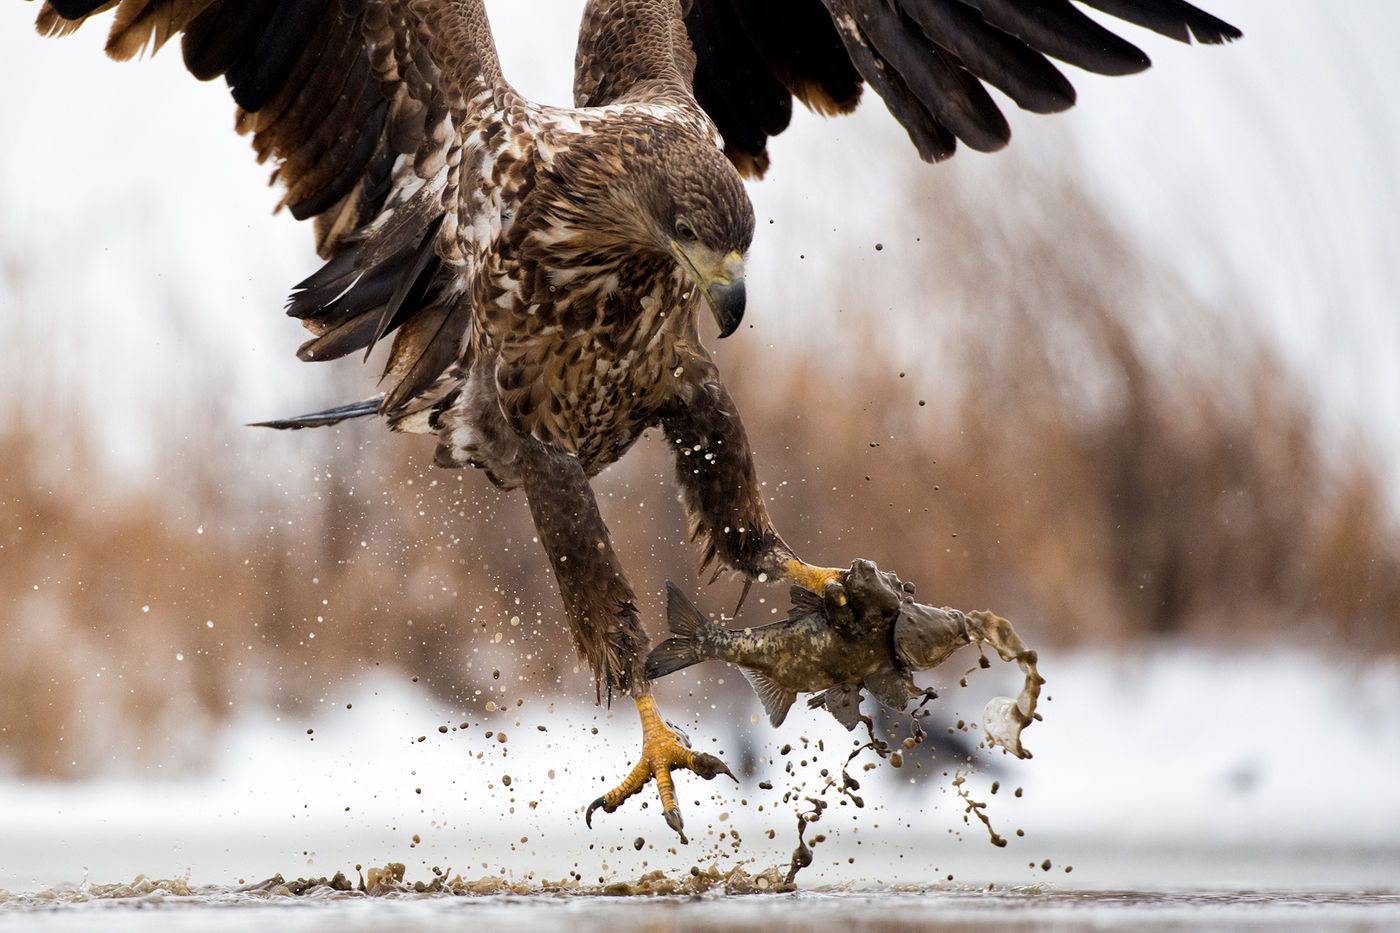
(579, 336)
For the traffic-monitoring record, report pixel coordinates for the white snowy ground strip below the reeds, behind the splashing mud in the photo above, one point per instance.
(1172, 770)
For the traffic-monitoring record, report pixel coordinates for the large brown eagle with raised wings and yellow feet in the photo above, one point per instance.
(542, 271)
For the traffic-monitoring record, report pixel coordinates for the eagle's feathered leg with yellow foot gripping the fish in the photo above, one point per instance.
(720, 490)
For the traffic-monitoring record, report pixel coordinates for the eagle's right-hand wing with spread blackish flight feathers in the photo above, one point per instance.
(929, 61)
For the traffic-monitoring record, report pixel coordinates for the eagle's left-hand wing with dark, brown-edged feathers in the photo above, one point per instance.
(334, 93)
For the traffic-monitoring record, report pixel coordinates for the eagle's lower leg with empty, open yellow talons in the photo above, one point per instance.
(603, 618)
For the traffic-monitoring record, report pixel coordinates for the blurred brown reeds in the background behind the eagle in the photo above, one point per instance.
(1014, 407)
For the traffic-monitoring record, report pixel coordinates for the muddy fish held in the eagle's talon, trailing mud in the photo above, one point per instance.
(862, 633)
